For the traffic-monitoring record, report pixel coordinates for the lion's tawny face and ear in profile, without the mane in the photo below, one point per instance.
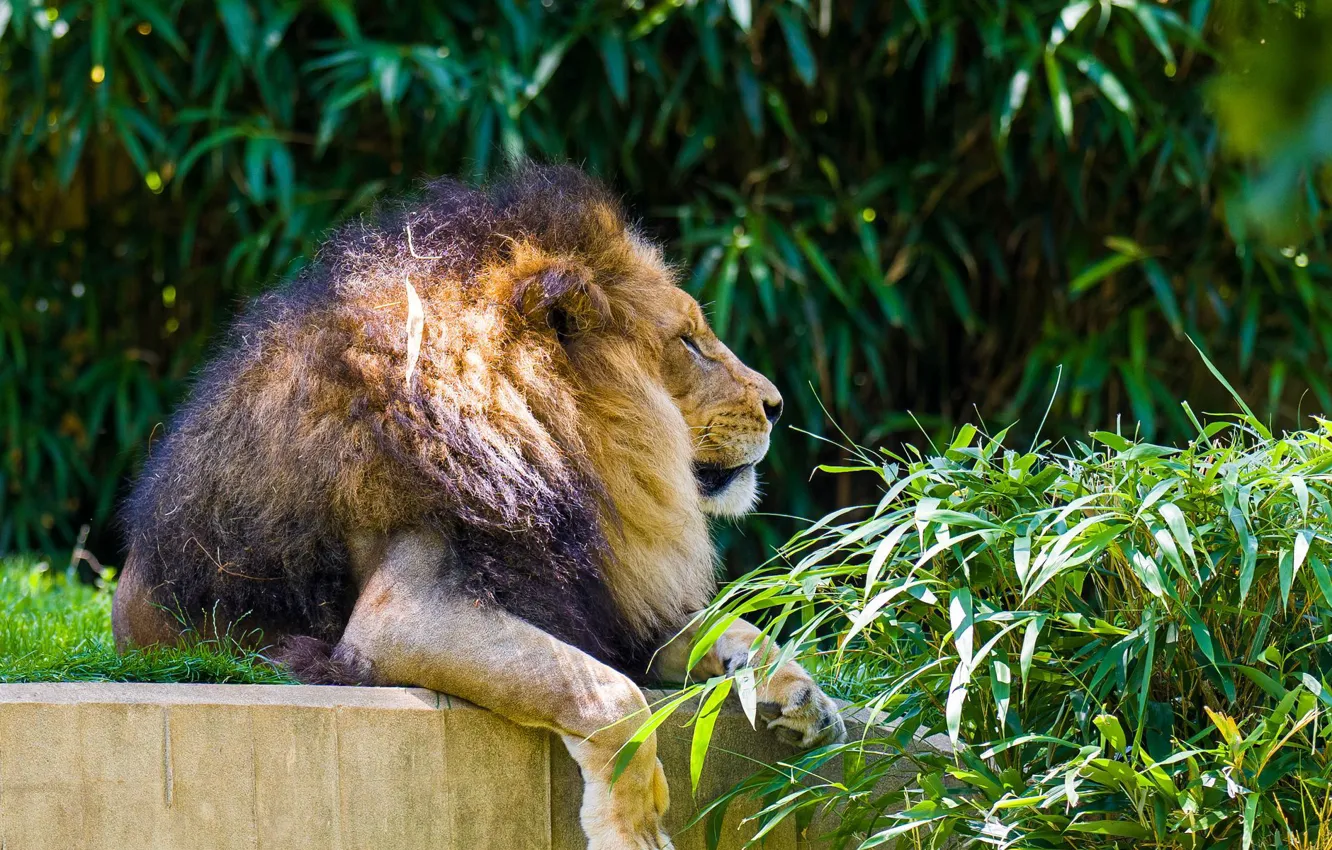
(620, 315)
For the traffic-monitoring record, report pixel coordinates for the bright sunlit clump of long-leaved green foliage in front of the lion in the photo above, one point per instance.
(1125, 644)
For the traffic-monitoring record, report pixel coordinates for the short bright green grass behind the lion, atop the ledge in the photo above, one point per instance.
(58, 630)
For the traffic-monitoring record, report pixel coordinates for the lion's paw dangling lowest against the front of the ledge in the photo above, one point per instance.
(627, 815)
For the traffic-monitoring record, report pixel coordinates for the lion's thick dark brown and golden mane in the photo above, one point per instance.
(306, 427)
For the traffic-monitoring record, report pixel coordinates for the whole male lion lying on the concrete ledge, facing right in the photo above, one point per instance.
(474, 447)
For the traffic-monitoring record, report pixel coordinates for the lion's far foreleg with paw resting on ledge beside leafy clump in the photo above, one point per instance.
(788, 697)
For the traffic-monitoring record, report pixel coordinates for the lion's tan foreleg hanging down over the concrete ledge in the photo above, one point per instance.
(411, 630)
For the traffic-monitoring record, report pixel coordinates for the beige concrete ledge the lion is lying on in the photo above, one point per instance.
(110, 767)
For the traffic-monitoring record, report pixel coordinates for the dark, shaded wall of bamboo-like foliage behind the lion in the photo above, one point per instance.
(956, 210)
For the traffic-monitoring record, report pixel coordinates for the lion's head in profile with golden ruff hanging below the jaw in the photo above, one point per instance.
(671, 420)
